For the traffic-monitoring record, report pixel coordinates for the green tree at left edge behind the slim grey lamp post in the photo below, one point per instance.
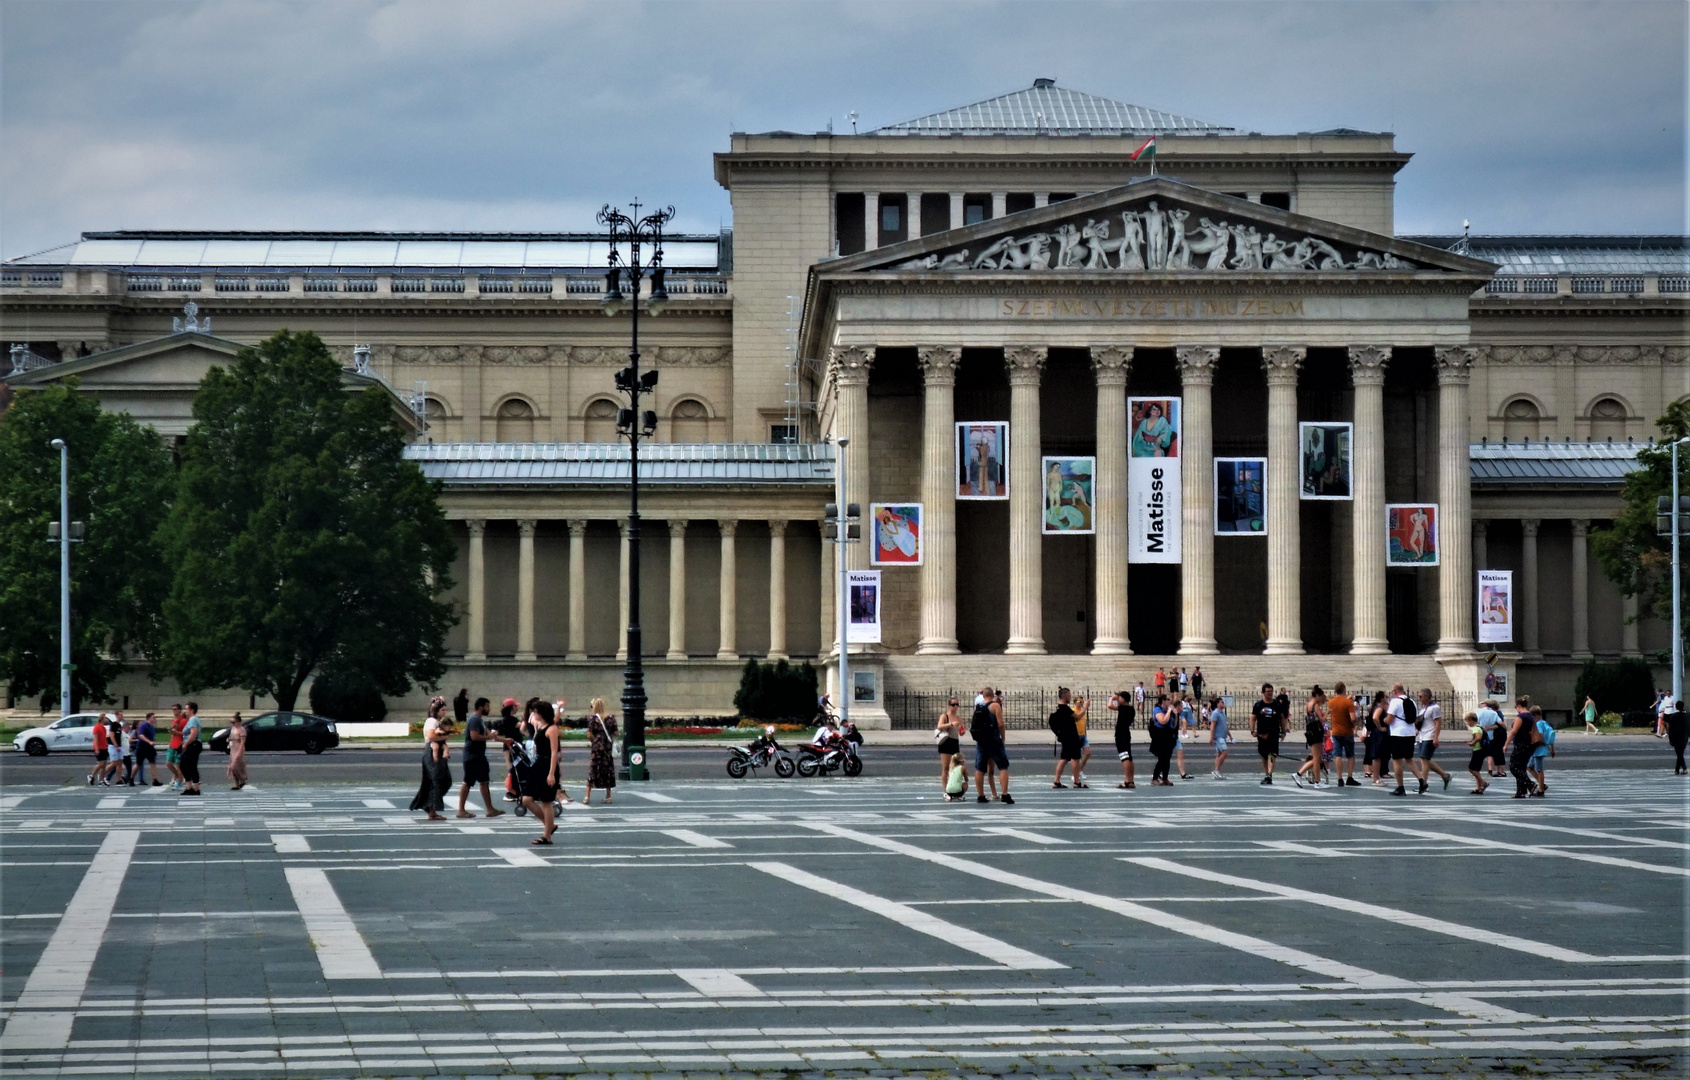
(121, 488)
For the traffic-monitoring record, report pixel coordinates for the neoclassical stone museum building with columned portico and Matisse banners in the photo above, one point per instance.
(1106, 406)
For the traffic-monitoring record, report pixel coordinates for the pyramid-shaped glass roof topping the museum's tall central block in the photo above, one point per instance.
(1047, 109)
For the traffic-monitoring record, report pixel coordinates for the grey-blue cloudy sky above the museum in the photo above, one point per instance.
(1524, 116)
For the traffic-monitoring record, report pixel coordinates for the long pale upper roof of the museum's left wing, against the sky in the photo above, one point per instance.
(334, 251)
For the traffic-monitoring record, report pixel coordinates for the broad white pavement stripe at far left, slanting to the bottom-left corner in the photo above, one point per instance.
(62, 973)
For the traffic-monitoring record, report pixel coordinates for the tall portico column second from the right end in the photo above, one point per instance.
(1368, 364)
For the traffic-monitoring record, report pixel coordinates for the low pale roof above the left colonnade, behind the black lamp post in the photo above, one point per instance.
(608, 464)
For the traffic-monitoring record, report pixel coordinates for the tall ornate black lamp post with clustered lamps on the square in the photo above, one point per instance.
(635, 423)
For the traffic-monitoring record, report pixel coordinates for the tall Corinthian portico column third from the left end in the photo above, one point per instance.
(1027, 572)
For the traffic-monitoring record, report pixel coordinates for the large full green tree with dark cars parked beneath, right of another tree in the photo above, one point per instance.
(302, 540)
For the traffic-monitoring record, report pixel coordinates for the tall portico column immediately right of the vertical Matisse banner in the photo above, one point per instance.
(1197, 479)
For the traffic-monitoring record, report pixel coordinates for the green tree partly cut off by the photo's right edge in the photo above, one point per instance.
(1630, 554)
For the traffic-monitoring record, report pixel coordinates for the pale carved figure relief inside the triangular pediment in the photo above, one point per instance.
(1160, 237)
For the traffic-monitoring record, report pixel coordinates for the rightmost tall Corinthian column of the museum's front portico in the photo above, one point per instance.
(1456, 581)
